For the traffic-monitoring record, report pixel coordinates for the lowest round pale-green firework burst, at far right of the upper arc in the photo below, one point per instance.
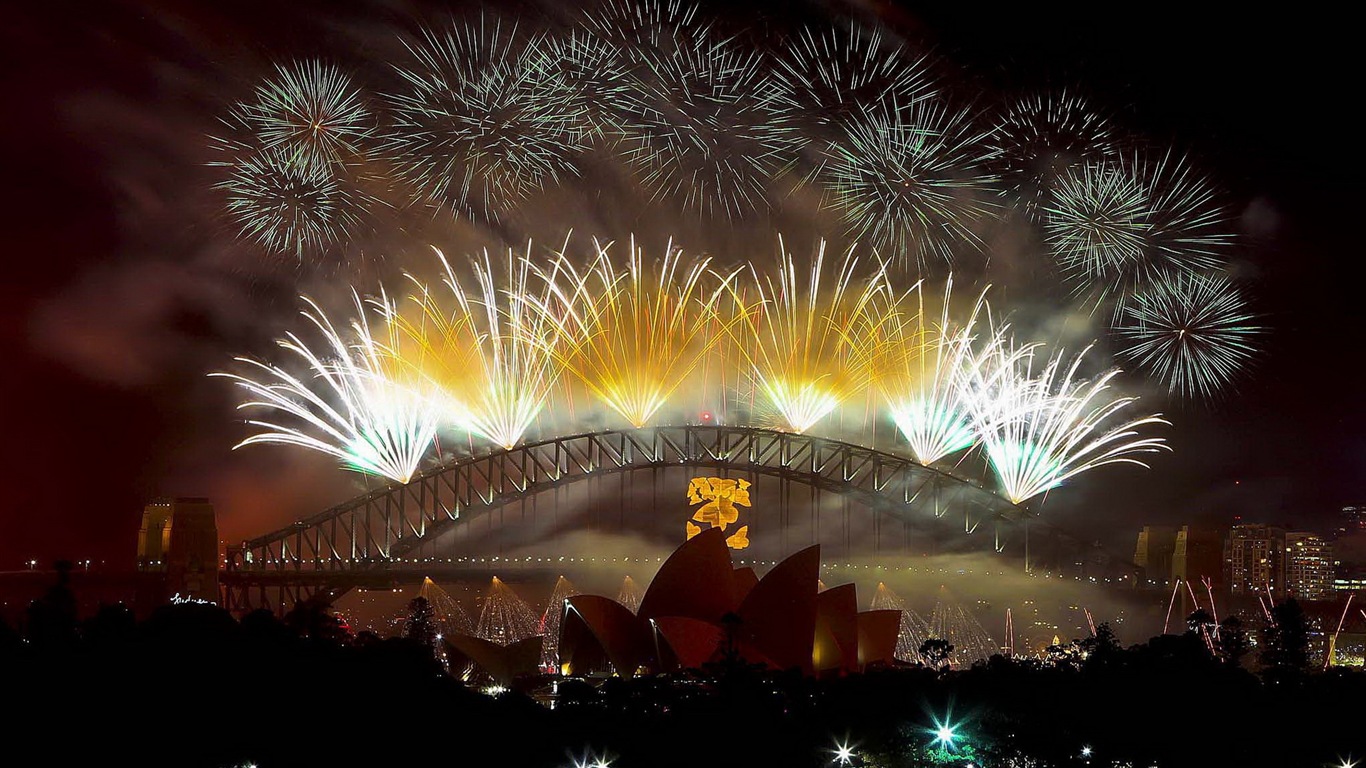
(1190, 331)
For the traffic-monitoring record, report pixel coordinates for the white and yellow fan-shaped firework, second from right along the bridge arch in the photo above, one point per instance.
(924, 385)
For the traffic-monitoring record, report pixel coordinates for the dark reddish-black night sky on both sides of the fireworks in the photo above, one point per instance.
(121, 293)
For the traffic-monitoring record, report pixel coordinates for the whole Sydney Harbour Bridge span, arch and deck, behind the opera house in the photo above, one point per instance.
(506, 510)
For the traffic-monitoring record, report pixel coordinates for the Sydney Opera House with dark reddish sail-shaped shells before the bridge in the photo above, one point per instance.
(701, 610)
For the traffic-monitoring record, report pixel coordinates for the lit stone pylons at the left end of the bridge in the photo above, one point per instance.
(181, 538)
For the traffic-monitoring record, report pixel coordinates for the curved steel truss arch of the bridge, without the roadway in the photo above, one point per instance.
(378, 531)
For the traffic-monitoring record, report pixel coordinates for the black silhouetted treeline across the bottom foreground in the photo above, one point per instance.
(195, 687)
